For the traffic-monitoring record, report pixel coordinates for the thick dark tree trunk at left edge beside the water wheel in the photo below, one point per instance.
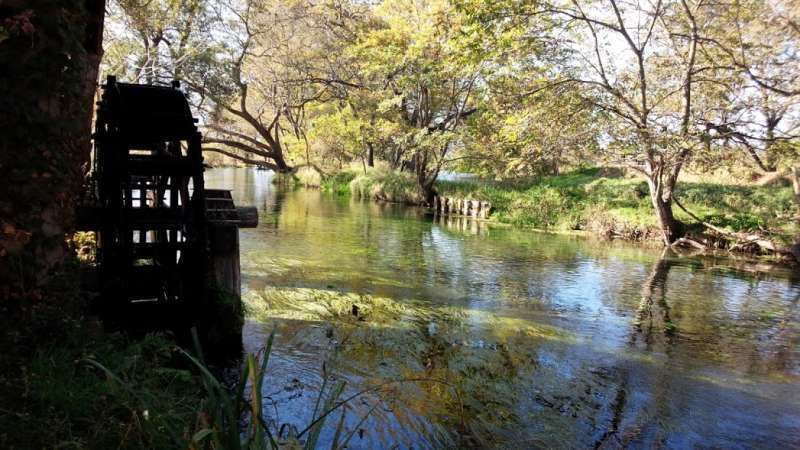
(47, 85)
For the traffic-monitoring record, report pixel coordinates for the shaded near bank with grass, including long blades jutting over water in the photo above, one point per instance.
(66, 382)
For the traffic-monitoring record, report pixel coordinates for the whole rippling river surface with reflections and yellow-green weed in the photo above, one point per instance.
(467, 335)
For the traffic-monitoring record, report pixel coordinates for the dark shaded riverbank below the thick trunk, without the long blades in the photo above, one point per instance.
(66, 382)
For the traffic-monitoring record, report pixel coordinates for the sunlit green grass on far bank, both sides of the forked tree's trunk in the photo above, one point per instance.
(588, 199)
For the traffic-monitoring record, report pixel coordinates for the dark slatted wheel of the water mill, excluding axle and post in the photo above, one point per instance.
(150, 214)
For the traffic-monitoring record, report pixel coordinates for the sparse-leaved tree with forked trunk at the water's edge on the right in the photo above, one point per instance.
(655, 69)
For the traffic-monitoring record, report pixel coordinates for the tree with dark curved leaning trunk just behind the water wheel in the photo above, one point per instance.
(250, 67)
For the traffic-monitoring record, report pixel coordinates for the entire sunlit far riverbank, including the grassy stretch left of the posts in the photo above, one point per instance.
(601, 201)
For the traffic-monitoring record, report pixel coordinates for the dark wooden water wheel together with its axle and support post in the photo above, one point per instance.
(166, 246)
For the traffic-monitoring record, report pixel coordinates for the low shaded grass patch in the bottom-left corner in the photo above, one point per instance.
(59, 398)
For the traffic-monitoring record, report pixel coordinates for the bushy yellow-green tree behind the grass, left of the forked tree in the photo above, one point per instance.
(521, 131)
